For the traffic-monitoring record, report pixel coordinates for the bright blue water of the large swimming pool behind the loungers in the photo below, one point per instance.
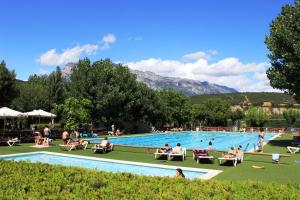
(192, 140)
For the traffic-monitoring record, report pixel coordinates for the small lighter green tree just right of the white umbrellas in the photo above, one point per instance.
(75, 112)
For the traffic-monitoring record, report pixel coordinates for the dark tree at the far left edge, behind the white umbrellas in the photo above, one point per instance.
(8, 89)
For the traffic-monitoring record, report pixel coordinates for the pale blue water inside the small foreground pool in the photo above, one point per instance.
(101, 165)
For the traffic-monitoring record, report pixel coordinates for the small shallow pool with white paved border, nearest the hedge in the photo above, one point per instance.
(110, 165)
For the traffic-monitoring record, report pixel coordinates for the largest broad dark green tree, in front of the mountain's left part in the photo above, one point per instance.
(113, 91)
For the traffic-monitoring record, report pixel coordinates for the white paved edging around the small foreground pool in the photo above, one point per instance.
(209, 173)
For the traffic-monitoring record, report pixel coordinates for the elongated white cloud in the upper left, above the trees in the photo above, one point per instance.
(52, 57)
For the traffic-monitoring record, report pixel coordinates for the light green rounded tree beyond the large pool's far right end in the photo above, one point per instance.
(257, 116)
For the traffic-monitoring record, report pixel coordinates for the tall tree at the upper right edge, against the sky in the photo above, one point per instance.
(284, 44)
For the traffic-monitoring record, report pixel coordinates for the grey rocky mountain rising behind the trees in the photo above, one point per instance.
(157, 82)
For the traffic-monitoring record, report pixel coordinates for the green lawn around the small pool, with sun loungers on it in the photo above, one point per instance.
(287, 171)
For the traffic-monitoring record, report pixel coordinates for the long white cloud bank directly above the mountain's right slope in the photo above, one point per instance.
(229, 71)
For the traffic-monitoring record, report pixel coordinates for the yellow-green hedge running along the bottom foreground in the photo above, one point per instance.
(42, 181)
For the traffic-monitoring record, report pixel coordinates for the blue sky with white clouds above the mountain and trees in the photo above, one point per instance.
(217, 41)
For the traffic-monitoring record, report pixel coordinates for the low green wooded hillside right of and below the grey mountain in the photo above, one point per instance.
(244, 98)
